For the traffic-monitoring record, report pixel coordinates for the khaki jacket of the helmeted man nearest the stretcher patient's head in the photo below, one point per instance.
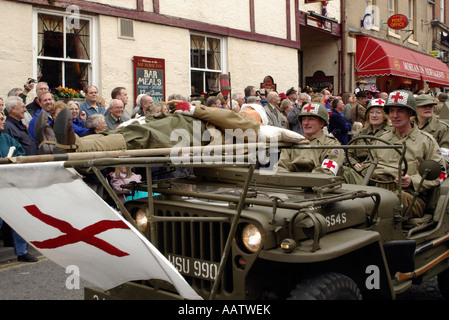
(311, 160)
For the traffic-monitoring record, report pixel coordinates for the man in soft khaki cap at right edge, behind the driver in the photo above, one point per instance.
(426, 120)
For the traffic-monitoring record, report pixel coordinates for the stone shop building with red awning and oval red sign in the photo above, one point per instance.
(390, 44)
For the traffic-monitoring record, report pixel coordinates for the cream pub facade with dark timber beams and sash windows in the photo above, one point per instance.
(171, 46)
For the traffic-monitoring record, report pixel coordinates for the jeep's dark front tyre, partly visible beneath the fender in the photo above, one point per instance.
(327, 286)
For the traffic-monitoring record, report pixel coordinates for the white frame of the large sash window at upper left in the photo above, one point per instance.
(93, 62)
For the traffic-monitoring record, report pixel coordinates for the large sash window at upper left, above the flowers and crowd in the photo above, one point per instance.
(64, 50)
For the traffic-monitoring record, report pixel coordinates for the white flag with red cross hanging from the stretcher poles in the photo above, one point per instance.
(65, 220)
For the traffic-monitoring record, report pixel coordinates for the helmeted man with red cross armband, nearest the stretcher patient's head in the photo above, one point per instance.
(313, 118)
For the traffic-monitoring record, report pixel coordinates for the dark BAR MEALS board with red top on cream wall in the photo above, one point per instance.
(149, 77)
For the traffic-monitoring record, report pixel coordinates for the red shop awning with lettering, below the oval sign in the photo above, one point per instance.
(379, 58)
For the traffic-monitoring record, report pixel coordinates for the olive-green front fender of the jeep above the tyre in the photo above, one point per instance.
(359, 254)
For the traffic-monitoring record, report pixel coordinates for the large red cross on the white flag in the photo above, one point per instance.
(73, 235)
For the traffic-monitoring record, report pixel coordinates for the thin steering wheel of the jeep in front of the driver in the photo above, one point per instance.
(368, 170)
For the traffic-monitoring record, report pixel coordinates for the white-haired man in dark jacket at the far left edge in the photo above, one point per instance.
(14, 126)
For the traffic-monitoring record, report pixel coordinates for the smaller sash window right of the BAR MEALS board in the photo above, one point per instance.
(205, 63)
